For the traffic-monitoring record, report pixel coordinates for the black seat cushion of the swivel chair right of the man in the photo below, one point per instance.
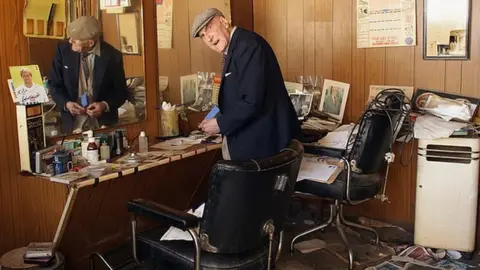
(362, 186)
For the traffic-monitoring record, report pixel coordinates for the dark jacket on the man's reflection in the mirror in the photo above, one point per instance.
(108, 81)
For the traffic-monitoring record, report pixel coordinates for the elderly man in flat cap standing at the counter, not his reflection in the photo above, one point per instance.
(257, 118)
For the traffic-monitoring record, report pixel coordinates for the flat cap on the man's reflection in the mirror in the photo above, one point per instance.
(84, 28)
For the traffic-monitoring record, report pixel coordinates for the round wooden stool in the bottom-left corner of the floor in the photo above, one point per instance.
(14, 260)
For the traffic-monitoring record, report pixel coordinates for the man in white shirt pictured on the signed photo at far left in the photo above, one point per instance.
(29, 92)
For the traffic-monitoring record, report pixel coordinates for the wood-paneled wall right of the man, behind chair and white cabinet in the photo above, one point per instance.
(318, 37)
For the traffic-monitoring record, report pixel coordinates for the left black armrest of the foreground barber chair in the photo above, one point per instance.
(167, 215)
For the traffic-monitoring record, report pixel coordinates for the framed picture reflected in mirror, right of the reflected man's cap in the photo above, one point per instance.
(129, 33)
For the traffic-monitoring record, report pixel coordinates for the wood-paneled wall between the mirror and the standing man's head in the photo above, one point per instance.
(188, 55)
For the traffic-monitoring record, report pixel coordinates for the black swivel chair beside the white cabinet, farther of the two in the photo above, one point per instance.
(366, 163)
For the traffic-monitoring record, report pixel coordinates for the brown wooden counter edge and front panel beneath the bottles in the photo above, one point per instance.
(95, 216)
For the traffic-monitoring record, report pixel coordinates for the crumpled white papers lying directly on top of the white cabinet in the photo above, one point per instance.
(431, 127)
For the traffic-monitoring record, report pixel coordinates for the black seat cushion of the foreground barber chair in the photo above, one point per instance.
(180, 254)
